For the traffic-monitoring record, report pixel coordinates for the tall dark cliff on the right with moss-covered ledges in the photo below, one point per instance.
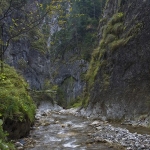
(119, 85)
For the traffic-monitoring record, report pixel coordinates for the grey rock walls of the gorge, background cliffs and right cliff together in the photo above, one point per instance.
(114, 82)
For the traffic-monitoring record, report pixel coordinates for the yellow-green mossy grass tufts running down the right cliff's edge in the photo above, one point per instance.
(114, 36)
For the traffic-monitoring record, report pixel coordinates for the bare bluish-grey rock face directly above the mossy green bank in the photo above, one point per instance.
(34, 66)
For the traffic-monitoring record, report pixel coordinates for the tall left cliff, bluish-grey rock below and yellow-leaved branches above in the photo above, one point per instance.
(27, 49)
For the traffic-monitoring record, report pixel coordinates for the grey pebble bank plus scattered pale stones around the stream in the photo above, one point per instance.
(104, 133)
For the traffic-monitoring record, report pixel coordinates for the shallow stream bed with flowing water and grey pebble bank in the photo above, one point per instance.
(56, 129)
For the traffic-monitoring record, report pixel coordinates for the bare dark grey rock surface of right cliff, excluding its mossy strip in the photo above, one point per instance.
(127, 69)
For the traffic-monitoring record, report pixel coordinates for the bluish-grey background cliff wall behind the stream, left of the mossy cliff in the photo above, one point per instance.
(38, 67)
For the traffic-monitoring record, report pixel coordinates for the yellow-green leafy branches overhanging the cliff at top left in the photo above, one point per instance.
(17, 18)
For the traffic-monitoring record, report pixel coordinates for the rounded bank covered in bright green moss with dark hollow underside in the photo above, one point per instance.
(17, 108)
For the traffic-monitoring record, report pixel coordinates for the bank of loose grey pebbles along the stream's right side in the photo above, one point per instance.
(107, 133)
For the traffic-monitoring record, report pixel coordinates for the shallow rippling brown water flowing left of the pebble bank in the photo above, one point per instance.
(63, 132)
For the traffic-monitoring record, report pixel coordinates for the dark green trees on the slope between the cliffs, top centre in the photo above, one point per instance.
(79, 28)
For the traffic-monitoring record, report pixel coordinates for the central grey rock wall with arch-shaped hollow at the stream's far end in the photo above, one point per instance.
(68, 74)
